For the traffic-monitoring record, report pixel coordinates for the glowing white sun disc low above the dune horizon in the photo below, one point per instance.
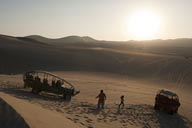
(143, 25)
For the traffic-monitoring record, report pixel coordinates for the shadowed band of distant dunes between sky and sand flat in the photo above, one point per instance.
(165, 59)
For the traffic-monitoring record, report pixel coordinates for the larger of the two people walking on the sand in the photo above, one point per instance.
(101, 99)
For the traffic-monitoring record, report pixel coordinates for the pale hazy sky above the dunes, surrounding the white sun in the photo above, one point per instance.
(100, 19)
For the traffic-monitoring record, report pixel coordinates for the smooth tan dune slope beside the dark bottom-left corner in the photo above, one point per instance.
(35, 116)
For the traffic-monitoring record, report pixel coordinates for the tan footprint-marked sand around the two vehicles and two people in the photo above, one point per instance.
(82, 110)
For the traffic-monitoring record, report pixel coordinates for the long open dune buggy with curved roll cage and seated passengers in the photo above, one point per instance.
(45, 81)
